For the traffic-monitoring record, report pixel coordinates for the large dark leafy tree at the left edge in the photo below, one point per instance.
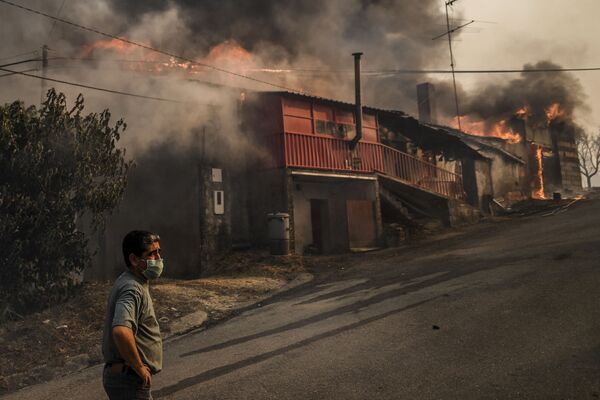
(57, 166)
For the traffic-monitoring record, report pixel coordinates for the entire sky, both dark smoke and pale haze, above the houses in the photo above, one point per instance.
(310, 35)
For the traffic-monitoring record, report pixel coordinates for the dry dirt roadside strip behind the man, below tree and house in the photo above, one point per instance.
(67, 337)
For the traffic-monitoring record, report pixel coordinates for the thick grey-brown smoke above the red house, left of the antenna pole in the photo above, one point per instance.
(292, 34)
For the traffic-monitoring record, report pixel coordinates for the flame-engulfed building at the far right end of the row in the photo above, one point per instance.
(531, 149)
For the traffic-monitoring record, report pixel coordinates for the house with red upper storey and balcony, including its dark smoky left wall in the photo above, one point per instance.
(302, 158)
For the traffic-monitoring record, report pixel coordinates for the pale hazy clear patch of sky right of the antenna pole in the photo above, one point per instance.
(515, 32)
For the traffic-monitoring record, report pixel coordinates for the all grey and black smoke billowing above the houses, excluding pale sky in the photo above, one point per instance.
(296, 44)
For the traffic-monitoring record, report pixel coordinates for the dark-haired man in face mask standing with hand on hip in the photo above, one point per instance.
(131, 344)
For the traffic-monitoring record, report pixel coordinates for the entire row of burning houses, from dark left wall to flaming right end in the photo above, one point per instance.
(302, 157)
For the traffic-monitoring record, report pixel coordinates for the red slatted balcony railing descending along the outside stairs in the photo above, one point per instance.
(333, 154)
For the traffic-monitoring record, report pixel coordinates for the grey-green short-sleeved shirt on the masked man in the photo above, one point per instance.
(130, 304)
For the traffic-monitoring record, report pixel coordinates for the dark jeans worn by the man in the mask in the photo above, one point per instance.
(124, 385)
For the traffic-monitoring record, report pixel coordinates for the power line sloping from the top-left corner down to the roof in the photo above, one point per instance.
(148, 47)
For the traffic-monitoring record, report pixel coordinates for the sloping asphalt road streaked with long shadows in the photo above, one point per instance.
(502, 311)
